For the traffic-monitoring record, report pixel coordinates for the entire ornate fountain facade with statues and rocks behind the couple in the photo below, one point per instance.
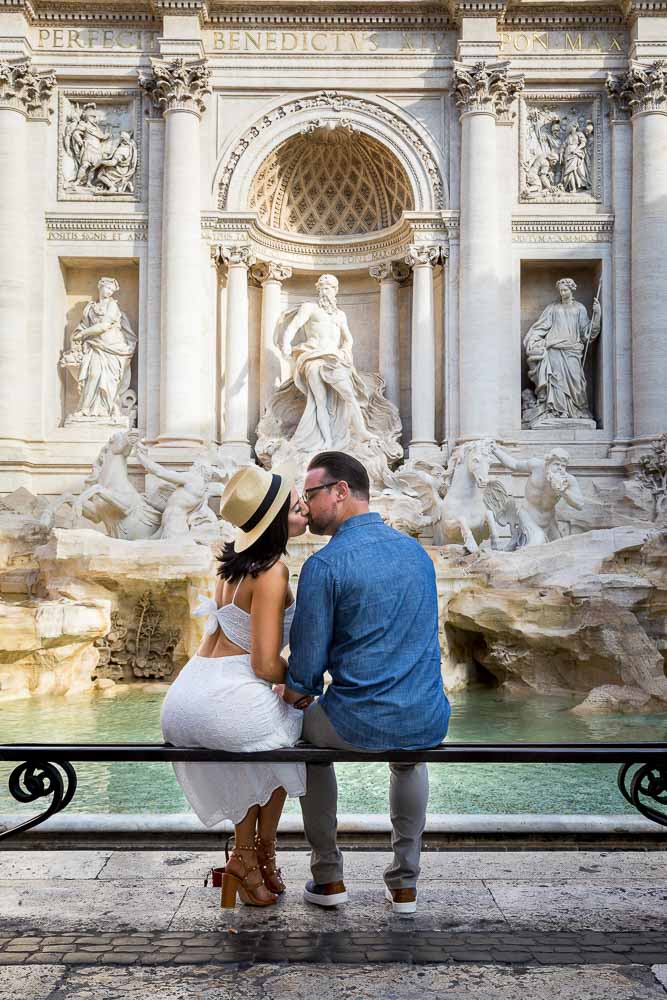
(431, 234)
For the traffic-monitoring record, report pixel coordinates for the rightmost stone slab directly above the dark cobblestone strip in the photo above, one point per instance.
(550, 906)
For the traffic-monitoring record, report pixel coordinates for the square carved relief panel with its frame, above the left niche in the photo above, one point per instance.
(99, 146)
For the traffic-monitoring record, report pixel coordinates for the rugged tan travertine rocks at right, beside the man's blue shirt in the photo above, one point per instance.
(584, 615)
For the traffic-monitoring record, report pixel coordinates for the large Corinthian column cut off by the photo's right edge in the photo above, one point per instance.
(643, 90)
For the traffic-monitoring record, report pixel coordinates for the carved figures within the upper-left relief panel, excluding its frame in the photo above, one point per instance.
(100, 157)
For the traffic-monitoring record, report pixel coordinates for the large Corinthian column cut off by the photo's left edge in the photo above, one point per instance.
(24, 93)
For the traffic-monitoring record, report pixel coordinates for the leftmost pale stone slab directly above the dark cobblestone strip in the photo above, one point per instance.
(53, 907)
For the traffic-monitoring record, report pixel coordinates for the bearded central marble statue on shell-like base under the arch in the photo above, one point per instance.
(326, 403)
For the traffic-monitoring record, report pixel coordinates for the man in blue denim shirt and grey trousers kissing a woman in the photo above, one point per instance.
(367, 613)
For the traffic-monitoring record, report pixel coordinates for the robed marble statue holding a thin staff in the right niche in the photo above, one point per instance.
(556, 347)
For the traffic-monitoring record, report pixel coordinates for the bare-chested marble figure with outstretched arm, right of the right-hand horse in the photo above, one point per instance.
(548, 482)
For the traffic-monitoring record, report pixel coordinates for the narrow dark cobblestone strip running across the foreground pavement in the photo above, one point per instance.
(340, 947)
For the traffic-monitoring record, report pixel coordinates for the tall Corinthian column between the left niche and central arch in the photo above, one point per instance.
(177, 88)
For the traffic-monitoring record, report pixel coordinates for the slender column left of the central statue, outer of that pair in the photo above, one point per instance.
(235, 435)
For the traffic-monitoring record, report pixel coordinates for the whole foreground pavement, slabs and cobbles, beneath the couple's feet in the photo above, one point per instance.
(93, 925)
